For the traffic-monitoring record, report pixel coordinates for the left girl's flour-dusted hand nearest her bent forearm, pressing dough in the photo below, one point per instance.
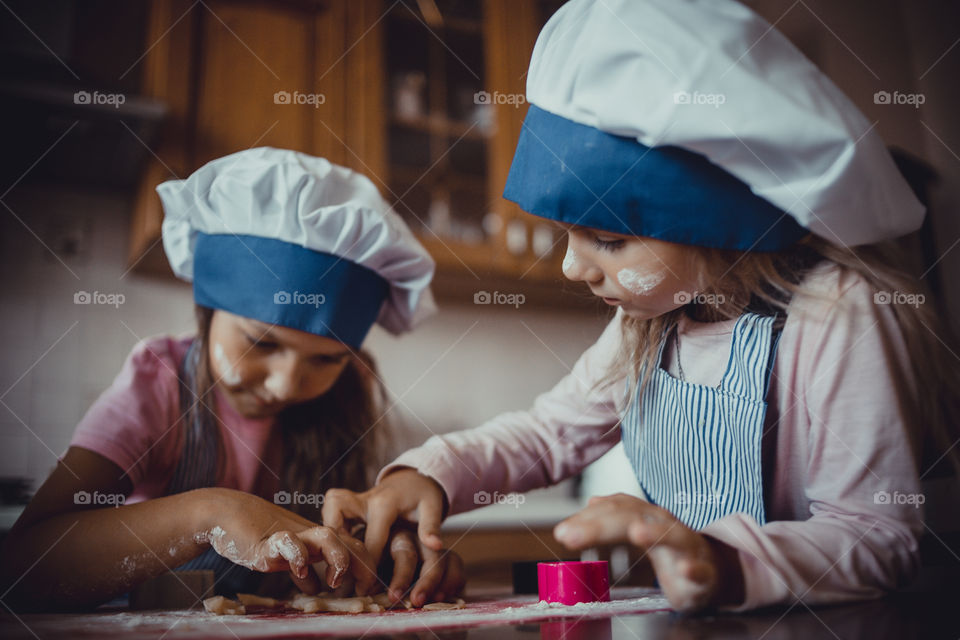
(260, 535)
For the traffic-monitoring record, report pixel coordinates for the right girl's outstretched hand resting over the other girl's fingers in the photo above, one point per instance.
(405, 493)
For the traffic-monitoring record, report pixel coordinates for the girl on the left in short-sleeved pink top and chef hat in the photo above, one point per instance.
(208, 441)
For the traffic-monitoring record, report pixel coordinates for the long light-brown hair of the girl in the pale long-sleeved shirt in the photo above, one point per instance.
(769, 281)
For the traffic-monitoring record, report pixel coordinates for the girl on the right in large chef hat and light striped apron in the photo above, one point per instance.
(772, 384)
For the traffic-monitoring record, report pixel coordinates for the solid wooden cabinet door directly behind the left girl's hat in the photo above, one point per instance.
(297, 74)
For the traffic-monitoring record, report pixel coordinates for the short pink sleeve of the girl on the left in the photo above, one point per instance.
(129, 422)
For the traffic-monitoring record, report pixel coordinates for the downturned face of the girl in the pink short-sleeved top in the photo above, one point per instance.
(263, 369)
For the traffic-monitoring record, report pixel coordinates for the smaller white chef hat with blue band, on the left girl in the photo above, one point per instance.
(294, 240)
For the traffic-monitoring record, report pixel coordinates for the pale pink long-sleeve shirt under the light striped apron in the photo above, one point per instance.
(840, 524)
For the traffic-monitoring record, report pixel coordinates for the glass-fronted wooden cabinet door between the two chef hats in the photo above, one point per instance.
(456, 85)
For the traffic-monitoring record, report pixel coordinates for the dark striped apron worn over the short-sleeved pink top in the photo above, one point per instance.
(197, 468)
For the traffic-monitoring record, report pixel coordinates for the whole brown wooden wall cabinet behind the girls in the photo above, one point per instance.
(424, 98)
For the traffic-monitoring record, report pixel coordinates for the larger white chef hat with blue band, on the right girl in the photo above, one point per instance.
(695, 121)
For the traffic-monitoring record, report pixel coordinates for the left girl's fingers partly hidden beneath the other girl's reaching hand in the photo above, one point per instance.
(441, 577)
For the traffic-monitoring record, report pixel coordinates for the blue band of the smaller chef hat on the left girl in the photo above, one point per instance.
(285, 284)
